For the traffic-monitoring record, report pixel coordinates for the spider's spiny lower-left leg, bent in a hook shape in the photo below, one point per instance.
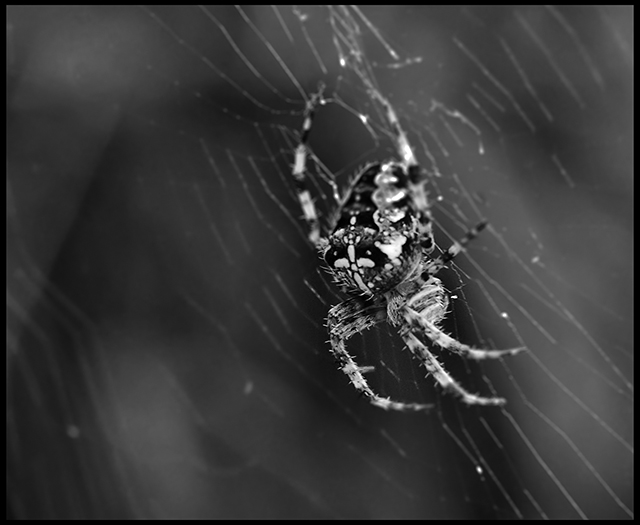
(349, 318)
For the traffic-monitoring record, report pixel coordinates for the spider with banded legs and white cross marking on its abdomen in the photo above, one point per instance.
(378, 252)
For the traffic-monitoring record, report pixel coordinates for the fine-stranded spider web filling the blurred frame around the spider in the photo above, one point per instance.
(166, 347)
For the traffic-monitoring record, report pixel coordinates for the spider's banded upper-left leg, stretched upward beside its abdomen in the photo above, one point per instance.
(300, 172)
